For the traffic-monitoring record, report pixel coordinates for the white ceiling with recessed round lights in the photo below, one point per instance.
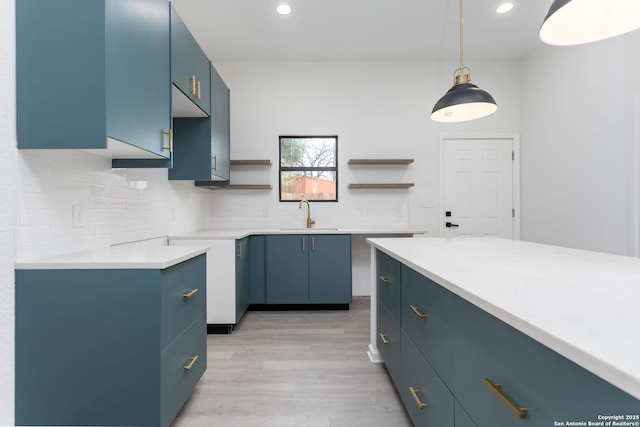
(370, 30)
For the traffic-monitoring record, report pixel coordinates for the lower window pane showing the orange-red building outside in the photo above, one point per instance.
(311, 185)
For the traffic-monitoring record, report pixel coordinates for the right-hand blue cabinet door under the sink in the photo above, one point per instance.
(330, 269)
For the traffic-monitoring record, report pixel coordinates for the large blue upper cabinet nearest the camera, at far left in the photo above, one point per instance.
(94, 75)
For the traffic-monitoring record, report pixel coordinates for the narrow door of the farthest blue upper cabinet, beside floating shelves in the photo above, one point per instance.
(220, 130)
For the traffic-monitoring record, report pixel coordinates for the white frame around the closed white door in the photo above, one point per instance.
(515, 175)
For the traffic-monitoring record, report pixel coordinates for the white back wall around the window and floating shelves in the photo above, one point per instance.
(378, 110)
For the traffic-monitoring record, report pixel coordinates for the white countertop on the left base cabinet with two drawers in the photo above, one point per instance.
(117, 257)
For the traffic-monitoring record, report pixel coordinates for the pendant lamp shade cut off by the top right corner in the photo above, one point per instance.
(572, 22)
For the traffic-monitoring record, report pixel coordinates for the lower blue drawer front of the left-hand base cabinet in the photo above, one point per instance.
(177, 382)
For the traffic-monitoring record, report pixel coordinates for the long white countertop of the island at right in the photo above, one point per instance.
(583, 305)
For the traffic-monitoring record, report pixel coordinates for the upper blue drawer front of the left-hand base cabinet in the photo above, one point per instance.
(184, 296)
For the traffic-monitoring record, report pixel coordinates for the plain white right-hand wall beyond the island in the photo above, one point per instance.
(577, 146)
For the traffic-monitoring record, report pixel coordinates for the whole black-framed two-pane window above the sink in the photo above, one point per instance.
(309, 168)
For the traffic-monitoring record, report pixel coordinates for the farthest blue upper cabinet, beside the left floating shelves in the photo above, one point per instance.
(201, 148)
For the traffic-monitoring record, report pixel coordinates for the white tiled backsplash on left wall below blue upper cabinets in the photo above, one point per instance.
(72, 201)
